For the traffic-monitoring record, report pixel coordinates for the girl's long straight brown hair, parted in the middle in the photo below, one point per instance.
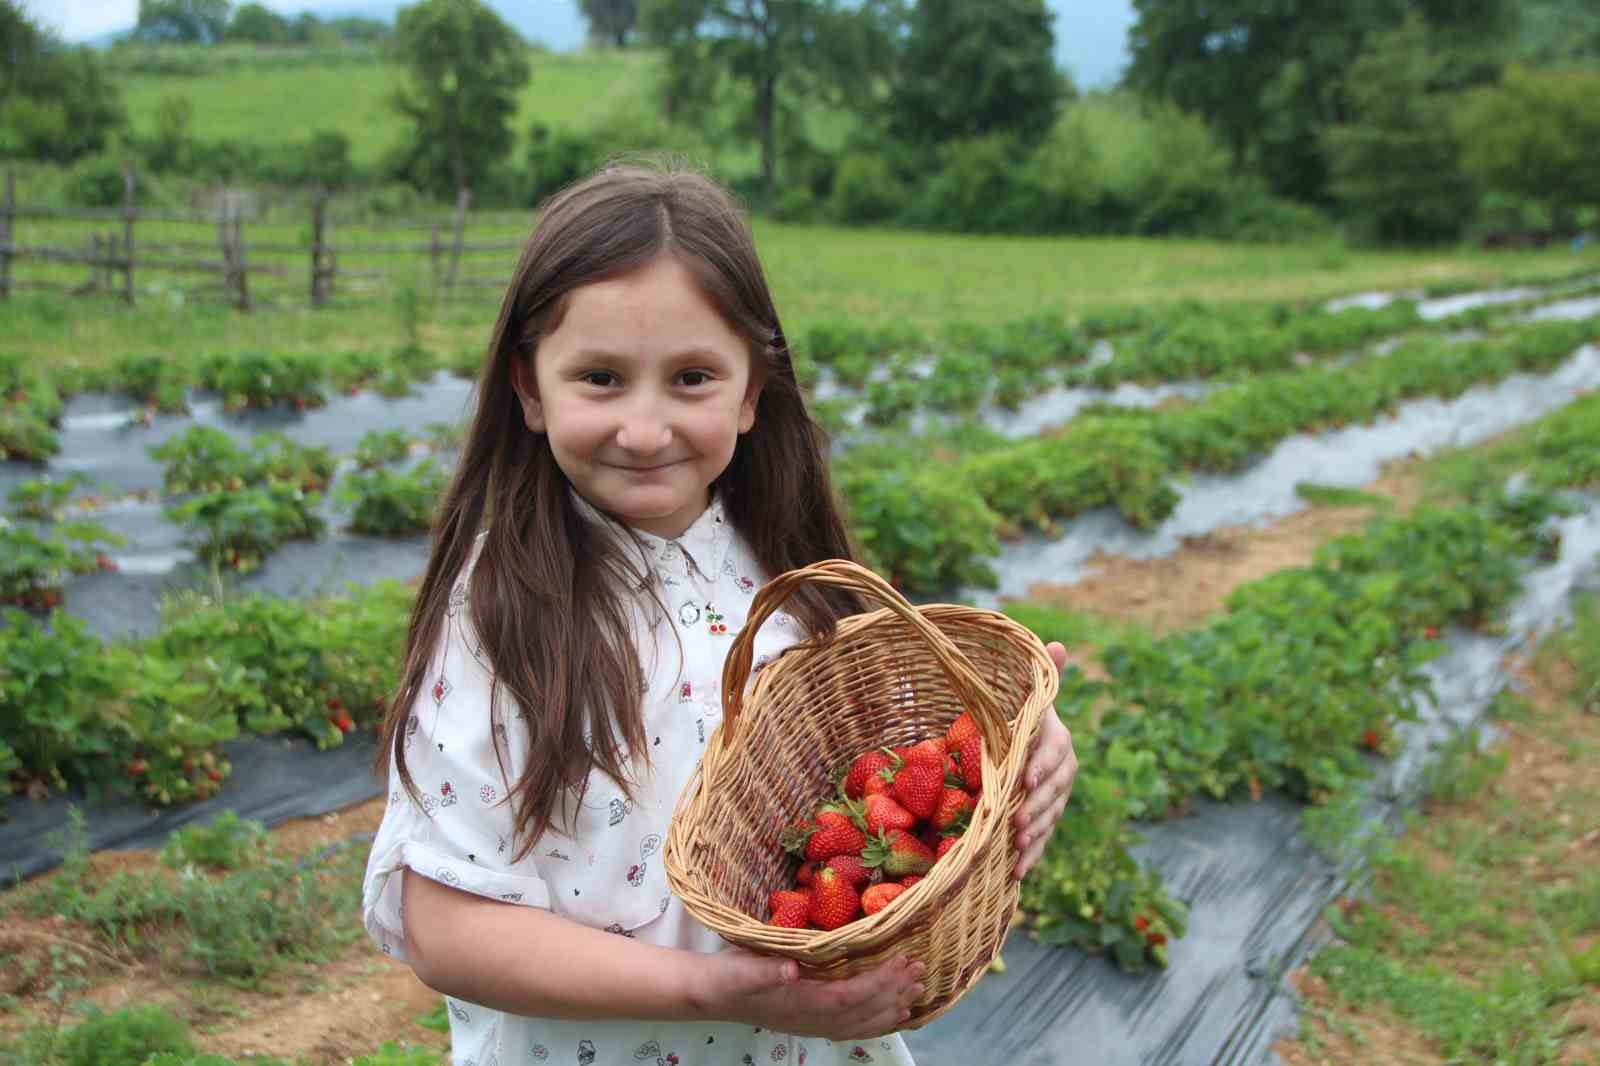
(550, 599)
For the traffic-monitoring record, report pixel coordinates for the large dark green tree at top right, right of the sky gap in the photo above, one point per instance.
(1273, 76)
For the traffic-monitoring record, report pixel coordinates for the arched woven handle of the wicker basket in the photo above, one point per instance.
(849, 575)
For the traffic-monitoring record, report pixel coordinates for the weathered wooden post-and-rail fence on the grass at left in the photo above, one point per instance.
(113, 258)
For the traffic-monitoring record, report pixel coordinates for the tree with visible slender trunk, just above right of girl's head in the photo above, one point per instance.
(782, 52)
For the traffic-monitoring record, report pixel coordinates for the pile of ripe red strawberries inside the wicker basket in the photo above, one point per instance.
(898, 812)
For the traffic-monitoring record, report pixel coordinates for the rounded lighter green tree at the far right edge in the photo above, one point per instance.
(1537, 135)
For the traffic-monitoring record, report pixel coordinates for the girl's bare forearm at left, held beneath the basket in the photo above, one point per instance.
(532, 963)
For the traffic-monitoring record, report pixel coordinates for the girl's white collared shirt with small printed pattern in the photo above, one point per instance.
(609, 873)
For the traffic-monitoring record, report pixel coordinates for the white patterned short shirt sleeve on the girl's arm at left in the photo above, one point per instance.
(460, 828)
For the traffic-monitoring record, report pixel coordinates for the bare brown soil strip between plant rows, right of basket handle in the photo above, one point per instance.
(1185, 588)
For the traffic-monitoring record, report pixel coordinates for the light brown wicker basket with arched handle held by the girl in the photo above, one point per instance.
(892, 676)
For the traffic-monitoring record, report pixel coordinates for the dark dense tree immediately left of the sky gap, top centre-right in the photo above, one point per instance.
(977, 70)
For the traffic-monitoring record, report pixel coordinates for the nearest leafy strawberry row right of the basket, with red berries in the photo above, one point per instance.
(1292, 689)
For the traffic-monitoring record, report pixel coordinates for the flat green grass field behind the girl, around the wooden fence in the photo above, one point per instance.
(817, 273)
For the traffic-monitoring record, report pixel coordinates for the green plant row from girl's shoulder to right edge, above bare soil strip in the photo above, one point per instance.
(934, 516)
